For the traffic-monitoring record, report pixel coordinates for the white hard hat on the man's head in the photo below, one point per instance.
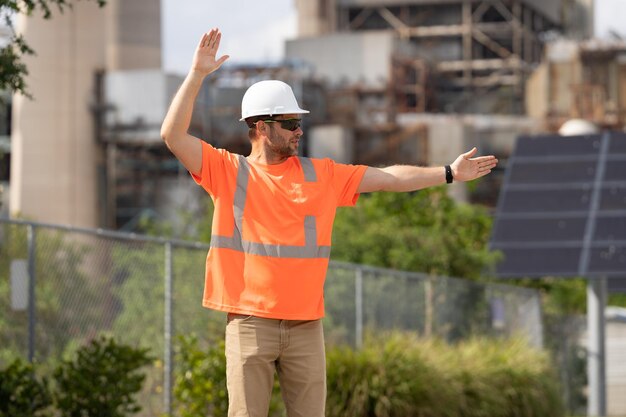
(269, 97)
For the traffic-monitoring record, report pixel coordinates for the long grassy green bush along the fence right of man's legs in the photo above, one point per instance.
(402, 376)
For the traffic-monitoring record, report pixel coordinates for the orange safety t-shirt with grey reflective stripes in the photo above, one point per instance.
(271, 234)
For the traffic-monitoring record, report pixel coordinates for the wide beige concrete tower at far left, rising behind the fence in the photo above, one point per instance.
(53, 161)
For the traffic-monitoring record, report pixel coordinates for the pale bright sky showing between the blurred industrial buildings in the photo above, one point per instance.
(255, 31)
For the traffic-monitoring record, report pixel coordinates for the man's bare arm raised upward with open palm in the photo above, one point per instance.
(187, 148)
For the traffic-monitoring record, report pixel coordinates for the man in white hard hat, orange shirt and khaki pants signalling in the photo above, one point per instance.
(271, 235)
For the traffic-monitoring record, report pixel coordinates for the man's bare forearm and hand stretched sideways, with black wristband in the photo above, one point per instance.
(411, 178)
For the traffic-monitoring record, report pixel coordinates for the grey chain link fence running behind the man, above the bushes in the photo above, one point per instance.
(61, 287)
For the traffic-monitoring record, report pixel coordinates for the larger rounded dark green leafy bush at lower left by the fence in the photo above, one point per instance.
(101, 381)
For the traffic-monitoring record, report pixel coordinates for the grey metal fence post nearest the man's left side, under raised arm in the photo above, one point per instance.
(168, 331)
